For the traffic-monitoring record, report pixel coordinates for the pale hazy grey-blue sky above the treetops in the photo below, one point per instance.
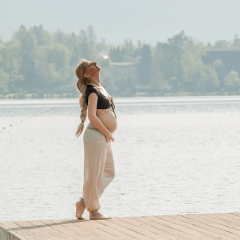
(116, 20)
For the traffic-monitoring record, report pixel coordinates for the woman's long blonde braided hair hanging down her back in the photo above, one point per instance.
(81, 86)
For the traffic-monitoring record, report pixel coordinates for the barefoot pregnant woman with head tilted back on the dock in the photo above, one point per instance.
(97, 103)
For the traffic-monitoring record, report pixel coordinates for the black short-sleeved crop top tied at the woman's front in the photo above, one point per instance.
(102, 102)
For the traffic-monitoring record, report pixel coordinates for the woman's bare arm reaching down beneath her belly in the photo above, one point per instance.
(92, 109)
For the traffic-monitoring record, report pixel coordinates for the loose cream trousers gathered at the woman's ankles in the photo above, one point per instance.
(98, 166)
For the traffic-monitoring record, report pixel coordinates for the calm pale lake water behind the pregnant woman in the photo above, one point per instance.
(172, 156)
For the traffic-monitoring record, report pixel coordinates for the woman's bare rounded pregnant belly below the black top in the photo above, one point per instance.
(108, 119)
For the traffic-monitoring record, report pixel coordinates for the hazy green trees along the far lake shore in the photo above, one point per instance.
(37, 61)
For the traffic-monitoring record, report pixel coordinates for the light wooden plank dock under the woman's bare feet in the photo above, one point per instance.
(187, 227)
